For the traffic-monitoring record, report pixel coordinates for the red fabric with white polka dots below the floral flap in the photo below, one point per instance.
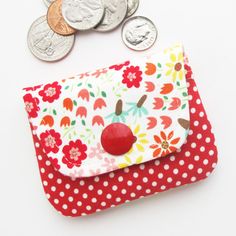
(83, 196)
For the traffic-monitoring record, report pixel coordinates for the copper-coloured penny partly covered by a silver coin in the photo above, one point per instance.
(56, 20)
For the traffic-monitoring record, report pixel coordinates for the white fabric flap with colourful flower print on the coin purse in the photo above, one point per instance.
(149, 97)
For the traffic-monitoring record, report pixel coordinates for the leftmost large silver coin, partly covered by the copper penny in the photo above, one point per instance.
(46, 44)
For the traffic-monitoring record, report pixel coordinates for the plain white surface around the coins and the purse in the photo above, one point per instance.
(208, 31)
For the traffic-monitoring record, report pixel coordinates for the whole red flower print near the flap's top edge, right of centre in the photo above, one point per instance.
(132, 77)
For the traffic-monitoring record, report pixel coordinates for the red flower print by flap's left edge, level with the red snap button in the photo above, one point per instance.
(51, 141)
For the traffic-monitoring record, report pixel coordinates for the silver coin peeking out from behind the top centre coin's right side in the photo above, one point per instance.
(115, 13)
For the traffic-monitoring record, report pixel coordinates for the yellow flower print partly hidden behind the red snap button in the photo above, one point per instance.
(138, 147)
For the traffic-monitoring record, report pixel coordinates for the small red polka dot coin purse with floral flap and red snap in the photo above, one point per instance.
(120, 133)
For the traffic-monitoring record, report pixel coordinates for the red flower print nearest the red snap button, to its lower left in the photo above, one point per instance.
(74, 154)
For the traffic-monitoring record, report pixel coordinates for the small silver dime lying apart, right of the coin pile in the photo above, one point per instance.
(139, 33)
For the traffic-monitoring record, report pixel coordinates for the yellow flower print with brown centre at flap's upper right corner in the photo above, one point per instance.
(176, 66)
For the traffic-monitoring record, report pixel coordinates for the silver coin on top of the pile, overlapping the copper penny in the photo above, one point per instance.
(83, 14)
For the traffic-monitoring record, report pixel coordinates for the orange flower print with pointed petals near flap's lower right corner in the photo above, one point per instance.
(165, 144)
